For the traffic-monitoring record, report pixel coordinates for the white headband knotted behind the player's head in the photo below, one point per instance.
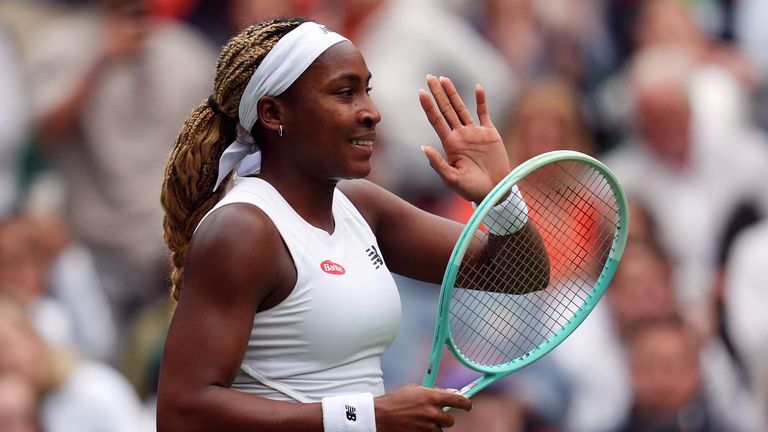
(284, 63)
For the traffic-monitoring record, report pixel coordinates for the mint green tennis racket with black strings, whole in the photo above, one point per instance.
(579, 213)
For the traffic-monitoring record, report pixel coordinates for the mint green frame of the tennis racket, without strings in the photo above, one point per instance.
(442, 336)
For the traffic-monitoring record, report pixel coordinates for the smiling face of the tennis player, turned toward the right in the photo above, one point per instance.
(328, 117)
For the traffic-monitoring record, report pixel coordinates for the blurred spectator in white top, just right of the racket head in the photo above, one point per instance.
(675, 167)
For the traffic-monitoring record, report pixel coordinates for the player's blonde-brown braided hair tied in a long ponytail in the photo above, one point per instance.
(192, 166)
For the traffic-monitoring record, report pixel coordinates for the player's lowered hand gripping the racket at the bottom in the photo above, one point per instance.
(415, 408)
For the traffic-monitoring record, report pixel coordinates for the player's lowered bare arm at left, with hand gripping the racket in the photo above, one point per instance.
(236, 264)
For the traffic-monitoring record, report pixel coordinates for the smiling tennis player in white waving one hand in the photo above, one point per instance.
(287, 294)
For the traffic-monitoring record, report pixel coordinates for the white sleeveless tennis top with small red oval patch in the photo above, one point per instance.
(327, 337)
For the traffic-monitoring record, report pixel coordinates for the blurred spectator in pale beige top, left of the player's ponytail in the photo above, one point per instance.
(112, 84)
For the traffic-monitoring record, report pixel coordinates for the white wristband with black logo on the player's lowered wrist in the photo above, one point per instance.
(349, 413)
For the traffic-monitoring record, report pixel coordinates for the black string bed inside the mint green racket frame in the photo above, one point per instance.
(573, 208)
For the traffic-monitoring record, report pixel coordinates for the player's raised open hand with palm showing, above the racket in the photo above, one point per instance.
(476, 157)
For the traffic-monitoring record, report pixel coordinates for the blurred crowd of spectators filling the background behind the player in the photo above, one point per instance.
(671, 94)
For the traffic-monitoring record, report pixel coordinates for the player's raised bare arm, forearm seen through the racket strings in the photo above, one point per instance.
(418, 244)
